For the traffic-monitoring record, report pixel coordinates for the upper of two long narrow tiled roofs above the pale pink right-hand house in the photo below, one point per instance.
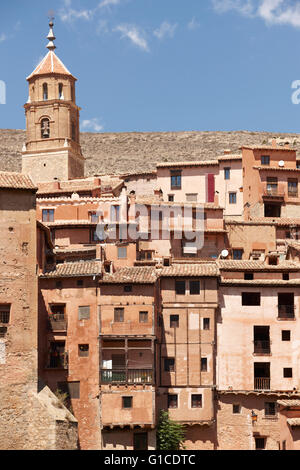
(243, 265)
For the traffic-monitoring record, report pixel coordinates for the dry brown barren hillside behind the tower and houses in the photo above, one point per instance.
(137, 151)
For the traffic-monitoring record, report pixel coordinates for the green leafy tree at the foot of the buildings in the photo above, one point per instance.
(170, 435)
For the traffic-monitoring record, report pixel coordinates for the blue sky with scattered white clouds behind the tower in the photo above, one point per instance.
(161, 65)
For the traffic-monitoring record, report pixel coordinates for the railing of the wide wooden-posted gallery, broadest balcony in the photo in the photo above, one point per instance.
(133, 376)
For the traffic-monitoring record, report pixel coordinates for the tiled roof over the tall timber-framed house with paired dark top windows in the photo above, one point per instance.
(200, 269)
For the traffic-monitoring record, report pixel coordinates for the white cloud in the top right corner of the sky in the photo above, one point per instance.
(280, 12)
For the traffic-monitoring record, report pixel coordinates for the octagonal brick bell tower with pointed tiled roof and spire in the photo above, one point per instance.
(52, 149)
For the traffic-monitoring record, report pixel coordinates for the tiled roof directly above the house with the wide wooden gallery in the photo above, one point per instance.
(135, 275)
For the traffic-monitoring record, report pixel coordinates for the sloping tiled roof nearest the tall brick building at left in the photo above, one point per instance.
(77, 268)
